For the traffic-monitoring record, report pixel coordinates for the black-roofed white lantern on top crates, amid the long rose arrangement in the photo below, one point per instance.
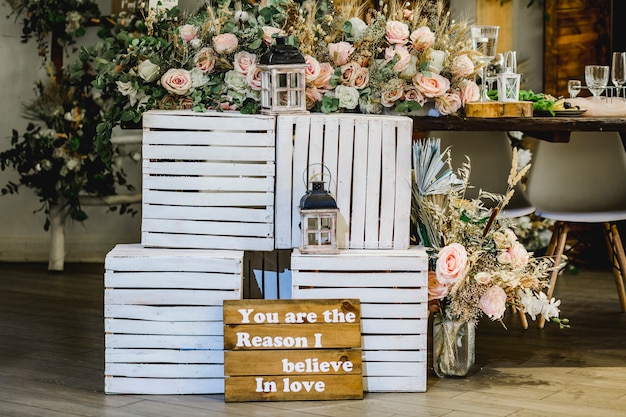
(283, 84)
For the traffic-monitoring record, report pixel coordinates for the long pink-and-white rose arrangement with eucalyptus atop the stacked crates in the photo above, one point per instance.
(398, 57)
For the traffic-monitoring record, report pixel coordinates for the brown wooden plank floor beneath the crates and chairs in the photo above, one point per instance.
(51, 360)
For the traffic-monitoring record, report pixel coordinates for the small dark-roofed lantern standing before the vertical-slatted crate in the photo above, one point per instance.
(318, 220)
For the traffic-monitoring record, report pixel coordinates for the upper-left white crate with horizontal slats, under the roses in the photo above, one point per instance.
(208, 180)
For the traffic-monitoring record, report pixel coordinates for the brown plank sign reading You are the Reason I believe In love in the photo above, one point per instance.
(281, 350)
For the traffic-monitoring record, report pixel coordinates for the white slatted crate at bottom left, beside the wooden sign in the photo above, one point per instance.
(163, 318)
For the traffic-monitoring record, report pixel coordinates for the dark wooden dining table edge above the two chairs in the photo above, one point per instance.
(553, 129)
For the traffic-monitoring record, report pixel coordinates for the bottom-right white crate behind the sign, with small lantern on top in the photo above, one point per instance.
(393, 289)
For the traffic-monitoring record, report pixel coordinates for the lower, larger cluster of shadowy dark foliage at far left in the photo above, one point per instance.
(56, 155)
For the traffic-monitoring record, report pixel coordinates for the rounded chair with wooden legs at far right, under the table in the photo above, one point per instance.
(582, 181)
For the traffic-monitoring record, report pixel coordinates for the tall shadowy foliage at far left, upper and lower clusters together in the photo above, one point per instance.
(60, 154)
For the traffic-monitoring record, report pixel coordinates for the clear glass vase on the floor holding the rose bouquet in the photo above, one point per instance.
(454, 344)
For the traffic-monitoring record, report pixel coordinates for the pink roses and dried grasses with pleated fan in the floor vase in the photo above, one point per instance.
(479, 265)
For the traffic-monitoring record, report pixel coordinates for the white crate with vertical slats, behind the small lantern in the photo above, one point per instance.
(369, 160)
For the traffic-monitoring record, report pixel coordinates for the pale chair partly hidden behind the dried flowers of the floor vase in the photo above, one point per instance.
(490, 156)
